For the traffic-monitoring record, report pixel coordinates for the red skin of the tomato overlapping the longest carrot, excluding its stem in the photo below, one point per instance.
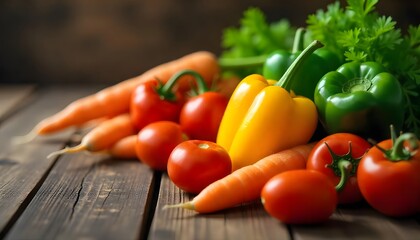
(148, 105)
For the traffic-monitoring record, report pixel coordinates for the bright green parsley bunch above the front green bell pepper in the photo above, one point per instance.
(358, 33)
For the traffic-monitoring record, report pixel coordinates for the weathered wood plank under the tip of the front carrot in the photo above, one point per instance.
(244, 222)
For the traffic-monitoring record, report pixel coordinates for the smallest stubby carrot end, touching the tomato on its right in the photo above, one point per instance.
(124, 148)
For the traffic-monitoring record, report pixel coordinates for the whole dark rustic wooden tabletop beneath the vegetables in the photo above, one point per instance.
(91, 196)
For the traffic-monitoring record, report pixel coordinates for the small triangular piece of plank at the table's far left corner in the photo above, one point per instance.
(12, 95)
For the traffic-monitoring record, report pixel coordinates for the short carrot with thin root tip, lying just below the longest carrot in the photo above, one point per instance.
(102, 137)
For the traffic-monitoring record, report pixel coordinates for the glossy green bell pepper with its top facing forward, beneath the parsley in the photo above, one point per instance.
(360, 98)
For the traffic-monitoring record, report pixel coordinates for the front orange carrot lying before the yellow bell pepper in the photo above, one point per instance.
(245, 184)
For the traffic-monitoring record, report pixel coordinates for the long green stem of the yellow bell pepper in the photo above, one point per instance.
(285, 80)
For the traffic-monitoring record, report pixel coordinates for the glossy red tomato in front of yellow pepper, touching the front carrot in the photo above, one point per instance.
(194, 164)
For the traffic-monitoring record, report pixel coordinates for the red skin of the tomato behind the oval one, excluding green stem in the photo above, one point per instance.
(339, 144)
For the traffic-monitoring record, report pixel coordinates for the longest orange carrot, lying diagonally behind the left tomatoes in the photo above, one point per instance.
(115, 99)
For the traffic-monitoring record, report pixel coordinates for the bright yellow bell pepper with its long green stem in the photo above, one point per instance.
(262, 119)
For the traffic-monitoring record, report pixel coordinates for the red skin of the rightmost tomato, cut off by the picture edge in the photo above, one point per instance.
(392, 188)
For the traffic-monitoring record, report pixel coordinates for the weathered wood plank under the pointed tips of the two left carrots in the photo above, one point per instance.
(22, 167)
